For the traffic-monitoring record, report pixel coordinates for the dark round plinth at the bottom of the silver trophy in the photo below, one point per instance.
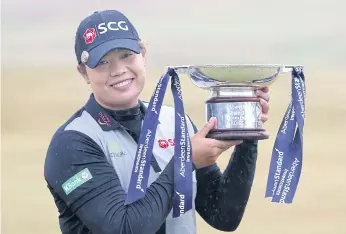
(255, 134)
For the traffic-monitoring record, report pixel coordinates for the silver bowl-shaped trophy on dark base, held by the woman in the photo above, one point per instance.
(232, 97)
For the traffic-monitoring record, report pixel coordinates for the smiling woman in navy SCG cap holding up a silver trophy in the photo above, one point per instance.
(90, 157)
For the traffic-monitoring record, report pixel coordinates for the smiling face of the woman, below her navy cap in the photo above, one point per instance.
(121, 72)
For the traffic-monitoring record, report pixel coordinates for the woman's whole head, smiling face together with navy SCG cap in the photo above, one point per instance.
(115, 59)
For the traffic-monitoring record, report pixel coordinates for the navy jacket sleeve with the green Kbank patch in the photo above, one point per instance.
(76, 169)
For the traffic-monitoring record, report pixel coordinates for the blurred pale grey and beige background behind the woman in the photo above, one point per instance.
(41, 88)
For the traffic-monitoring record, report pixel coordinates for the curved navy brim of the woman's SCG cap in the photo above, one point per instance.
(97, 53)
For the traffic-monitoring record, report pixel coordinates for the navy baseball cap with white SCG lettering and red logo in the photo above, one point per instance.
(102, 32)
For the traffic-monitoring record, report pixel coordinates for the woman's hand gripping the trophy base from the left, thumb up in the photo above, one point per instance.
(205, 151)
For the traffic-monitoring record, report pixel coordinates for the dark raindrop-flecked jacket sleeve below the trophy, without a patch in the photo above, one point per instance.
(222, 197)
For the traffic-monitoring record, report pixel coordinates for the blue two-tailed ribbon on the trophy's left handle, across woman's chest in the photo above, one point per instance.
(182, 199)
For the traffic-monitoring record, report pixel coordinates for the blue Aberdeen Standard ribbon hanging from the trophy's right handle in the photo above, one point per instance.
(287, 155)
